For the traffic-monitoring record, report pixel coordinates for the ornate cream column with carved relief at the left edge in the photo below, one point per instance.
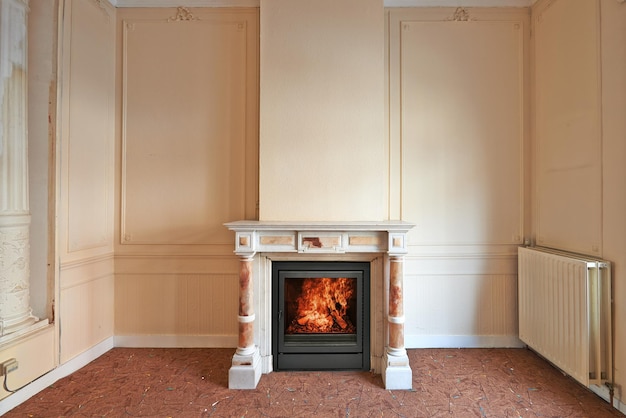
(15, 312)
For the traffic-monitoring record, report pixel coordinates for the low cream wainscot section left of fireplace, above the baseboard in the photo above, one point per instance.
(200, 299)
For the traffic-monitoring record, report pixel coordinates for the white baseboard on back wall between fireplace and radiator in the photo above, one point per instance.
(463, 341)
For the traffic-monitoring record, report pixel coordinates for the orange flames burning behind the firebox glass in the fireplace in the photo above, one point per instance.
(322, 306)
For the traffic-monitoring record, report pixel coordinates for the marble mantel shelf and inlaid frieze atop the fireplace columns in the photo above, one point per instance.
(320, 236)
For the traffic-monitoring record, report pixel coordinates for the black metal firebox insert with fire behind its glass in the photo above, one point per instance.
(320, 312)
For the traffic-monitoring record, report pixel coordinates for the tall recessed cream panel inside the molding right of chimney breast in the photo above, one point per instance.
(461, 130)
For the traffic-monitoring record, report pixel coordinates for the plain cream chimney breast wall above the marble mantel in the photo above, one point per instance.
(322, 130)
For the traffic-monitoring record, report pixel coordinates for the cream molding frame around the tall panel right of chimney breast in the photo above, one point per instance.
(400, 21)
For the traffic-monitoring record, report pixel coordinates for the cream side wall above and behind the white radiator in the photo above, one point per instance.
(580, 96)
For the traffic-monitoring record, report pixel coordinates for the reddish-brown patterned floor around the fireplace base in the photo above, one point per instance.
(129, 382)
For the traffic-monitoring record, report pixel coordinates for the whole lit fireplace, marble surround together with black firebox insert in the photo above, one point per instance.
(368, 254)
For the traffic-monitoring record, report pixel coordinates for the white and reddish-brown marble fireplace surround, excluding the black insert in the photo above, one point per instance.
(260, 244)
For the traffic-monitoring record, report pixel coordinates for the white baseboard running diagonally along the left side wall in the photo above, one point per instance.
(59, 372)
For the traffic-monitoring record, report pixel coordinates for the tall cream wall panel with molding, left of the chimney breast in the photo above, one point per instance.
(179, 219)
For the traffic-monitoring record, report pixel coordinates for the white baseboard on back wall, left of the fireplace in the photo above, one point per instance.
(176, 341)
